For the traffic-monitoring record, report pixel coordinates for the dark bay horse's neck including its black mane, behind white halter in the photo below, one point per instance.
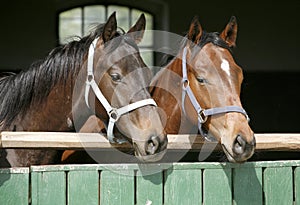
(45, 91)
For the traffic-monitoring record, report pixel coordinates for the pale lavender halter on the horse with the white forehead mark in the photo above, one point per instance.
(203, 114)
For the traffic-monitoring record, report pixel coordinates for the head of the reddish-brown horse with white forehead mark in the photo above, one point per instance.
(215, 80)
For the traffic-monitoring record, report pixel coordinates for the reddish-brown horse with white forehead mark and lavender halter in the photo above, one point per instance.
(205, 84)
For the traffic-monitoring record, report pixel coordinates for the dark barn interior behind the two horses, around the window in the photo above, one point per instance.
(267, 45)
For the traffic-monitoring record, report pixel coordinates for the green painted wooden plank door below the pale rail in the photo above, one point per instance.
(269, 183)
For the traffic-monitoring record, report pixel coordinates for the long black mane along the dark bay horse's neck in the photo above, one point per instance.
(19, 91)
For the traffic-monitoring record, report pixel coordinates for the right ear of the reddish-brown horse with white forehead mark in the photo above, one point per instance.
(229, 34)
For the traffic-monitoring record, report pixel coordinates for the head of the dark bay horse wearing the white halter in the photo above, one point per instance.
(117, 87)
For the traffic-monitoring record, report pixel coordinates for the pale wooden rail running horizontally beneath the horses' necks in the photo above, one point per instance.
(63, 140)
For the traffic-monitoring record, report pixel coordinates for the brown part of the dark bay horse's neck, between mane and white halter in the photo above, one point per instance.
(57, 108)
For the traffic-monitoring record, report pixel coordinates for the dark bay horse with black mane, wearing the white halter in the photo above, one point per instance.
(102, 74)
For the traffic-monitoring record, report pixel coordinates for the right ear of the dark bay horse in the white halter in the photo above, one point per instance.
(137, 31)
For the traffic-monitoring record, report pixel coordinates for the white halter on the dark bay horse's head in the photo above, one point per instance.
(113, 113)
